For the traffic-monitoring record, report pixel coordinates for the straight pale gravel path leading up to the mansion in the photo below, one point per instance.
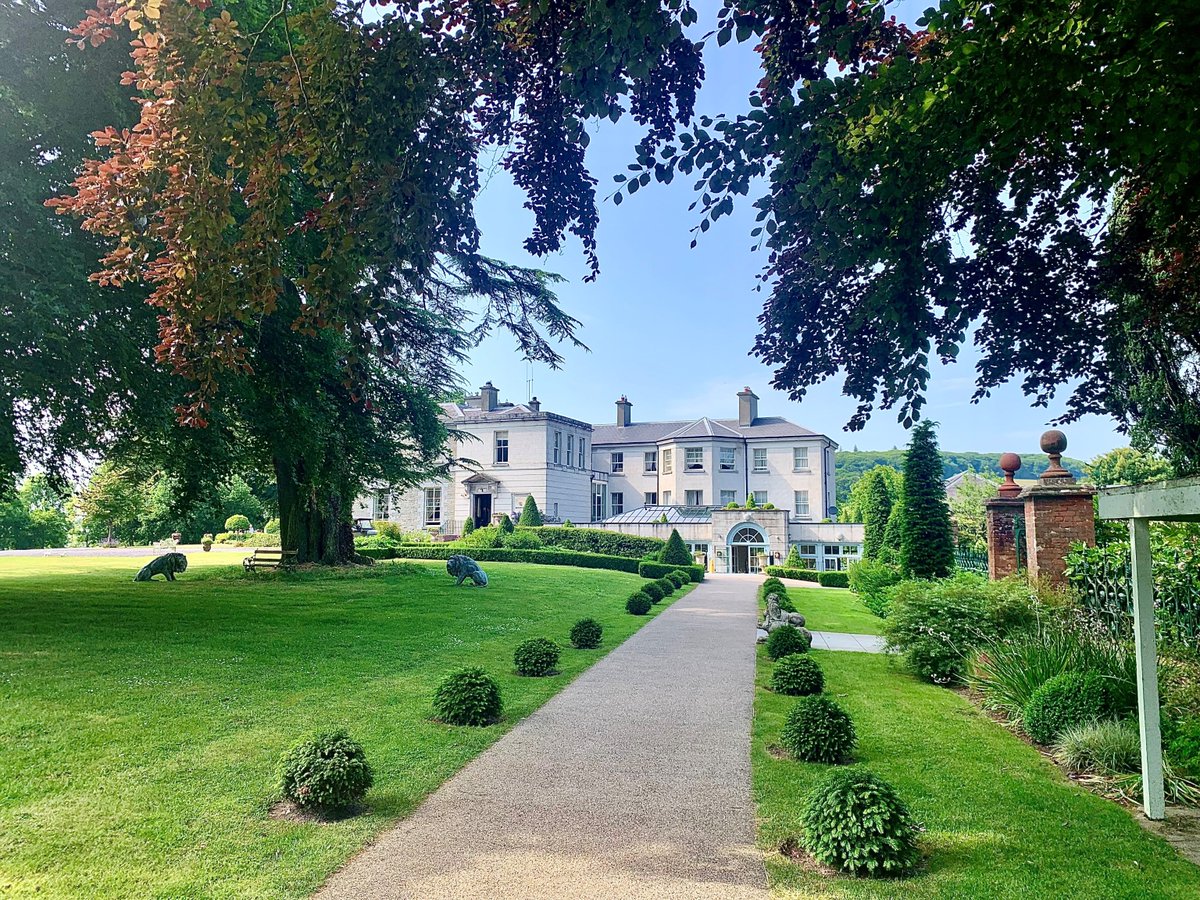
(633, 783)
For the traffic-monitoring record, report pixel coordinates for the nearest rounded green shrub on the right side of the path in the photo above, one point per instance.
(856, 823)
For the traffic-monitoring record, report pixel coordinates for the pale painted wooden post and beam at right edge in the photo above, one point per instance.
(1142, 505)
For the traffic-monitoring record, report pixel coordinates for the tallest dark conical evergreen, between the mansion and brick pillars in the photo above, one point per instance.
(927, 544)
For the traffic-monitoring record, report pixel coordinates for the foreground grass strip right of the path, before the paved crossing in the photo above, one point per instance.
(1000, 820)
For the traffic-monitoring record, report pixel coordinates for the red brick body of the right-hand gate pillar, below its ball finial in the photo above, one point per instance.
(1057, 515)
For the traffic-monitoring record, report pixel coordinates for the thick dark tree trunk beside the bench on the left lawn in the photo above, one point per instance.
(315, 518)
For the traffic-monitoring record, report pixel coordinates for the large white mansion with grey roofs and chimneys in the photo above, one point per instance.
(631, 476)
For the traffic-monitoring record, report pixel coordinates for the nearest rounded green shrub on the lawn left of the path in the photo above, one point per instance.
(327, 775)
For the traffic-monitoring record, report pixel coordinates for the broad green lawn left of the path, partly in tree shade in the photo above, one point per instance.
(141, 724)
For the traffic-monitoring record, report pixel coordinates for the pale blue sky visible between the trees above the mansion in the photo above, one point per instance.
(673, 327)
